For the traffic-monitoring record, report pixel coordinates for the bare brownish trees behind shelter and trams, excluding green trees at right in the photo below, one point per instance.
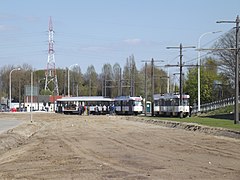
(113, 80)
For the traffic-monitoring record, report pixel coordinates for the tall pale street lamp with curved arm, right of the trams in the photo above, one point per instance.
(199, 56)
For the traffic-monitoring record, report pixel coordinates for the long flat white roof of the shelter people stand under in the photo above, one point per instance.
(85, 98)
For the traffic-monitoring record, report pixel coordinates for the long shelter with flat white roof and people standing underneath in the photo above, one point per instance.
(79, 105)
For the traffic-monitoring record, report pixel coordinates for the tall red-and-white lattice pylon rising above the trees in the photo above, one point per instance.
(51, 82)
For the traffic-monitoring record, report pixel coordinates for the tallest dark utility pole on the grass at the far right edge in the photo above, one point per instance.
(236, 110)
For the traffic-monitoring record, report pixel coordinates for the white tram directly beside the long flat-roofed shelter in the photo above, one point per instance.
(128, 105)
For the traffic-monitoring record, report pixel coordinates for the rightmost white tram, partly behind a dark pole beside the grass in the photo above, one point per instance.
(169, 105)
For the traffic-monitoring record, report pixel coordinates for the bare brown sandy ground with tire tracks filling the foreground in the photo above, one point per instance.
(56, 146)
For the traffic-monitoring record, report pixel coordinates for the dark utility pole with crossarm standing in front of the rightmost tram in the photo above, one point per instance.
(181, 75)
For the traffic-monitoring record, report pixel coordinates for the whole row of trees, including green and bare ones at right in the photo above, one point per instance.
(217, 78)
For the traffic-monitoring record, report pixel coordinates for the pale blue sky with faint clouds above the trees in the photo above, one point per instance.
(96, 32)
